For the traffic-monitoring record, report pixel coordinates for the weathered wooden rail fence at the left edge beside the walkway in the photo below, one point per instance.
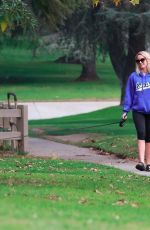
(14, 127)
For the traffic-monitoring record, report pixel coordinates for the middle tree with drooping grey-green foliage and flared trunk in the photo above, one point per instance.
(82, 38)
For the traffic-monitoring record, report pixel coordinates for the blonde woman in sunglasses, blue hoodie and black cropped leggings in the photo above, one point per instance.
(137, 99)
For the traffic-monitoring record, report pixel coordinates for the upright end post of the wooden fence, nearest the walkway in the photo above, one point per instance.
(22, 126)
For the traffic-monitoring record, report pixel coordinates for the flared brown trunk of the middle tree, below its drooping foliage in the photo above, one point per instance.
(88, 72)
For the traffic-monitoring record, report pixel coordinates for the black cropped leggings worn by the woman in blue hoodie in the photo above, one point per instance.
(142, 125)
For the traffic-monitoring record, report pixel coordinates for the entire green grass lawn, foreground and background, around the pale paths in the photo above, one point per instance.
(51, 194)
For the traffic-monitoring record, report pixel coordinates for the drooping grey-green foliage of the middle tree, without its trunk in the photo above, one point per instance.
(80, 33)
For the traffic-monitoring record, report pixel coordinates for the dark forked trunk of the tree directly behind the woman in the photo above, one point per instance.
(124, 62)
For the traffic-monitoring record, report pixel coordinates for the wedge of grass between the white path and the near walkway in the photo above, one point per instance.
(110, 138)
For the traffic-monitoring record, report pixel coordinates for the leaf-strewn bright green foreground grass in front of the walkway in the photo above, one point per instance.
(52, 194)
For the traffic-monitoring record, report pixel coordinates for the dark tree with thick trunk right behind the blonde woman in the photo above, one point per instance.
(127, 32)
